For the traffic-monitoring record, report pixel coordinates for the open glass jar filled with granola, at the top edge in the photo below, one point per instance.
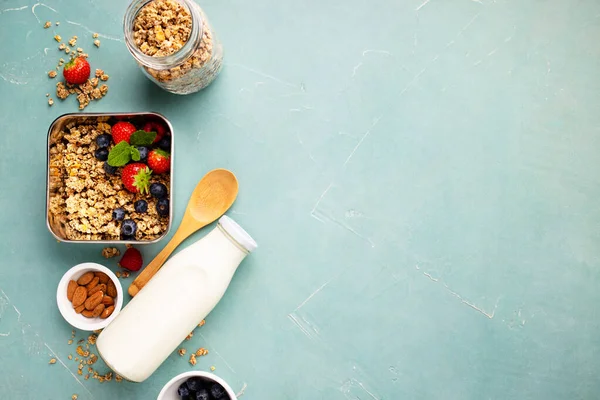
(173, 43)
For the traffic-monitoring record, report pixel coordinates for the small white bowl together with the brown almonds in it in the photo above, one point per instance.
(89, 296)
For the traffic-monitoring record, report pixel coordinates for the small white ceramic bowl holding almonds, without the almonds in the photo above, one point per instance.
(66, 308)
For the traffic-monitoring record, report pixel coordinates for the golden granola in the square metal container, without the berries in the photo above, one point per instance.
(83, 196)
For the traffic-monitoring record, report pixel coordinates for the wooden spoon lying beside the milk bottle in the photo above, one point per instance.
(213, 196)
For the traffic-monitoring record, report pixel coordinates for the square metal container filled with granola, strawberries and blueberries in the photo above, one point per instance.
(109, 178)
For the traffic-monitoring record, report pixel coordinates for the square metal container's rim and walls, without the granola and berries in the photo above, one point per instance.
(57, 227)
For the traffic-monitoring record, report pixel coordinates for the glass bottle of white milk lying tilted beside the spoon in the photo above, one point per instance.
(174, 301)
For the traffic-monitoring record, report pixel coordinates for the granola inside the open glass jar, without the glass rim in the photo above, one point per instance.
(162, 28)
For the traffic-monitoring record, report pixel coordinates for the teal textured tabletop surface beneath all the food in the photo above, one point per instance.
(421, 176)
